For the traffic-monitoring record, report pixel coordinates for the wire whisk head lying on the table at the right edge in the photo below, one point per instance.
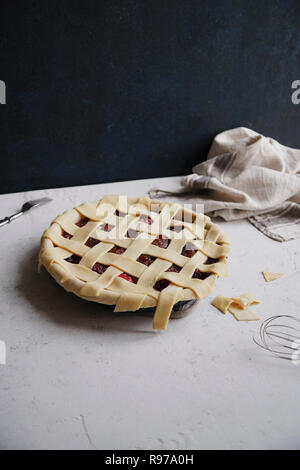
(280, 335)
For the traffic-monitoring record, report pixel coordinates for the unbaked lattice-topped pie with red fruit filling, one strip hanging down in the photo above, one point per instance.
(135, 253)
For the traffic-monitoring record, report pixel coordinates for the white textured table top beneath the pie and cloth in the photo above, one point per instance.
(80, 377)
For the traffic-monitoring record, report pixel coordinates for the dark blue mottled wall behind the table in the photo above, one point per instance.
(101, 91)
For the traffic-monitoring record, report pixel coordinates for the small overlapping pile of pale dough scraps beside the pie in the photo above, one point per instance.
(237, 306)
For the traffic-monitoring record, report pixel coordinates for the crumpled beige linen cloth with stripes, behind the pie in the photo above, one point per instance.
(247, 175)
